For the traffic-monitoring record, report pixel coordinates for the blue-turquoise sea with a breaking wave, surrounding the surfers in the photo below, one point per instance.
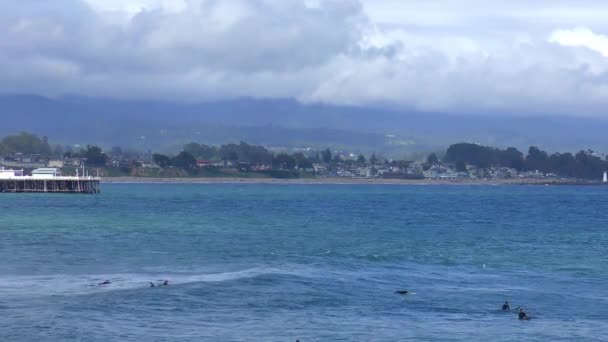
(308, 262)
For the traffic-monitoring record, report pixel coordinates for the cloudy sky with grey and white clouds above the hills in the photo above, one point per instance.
(494, 57)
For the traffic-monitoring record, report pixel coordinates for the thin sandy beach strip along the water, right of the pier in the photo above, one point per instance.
(342, 181)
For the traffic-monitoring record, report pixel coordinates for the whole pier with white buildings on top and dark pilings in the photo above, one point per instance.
(47, 180)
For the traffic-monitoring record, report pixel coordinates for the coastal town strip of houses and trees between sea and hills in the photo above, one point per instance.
(460, 163)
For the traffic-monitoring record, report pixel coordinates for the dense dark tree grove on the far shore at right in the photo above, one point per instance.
(583, 164)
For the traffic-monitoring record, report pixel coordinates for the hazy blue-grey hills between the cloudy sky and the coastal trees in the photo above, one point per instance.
(285, 122)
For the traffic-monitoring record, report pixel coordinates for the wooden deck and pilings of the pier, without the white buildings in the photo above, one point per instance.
(75, 185)
